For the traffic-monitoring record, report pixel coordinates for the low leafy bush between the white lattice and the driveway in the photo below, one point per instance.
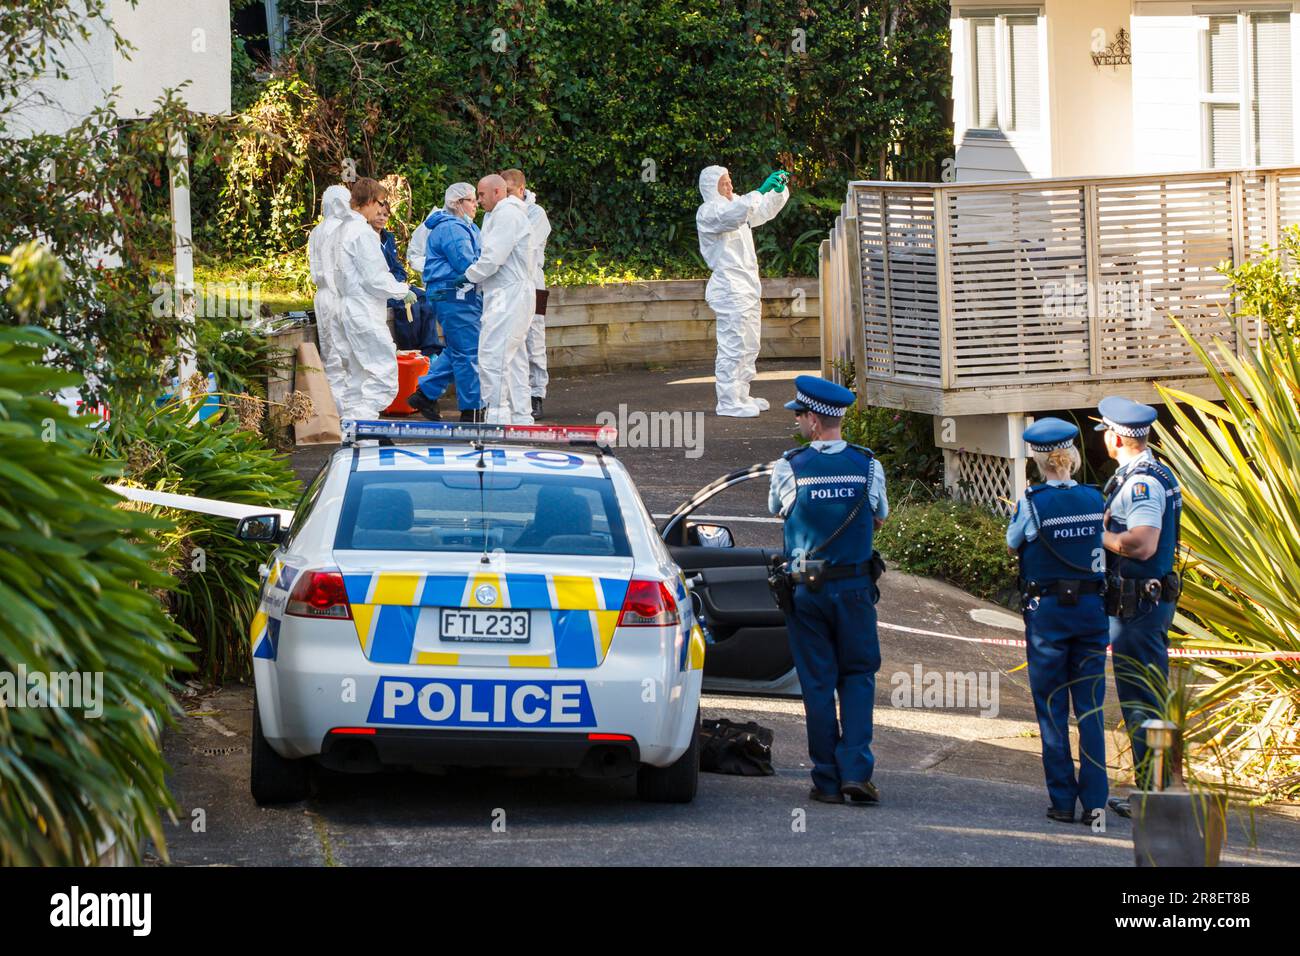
(955, 542)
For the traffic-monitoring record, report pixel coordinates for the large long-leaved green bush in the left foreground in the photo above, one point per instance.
(77, 582)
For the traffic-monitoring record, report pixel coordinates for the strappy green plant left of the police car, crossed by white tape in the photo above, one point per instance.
(215, 595)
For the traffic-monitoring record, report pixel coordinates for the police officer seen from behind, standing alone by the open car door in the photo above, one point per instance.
(833, 498)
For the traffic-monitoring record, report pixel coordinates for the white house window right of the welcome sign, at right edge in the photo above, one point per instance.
(1247, 111)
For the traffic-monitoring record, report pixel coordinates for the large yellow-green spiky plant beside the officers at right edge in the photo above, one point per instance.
(1240, 466)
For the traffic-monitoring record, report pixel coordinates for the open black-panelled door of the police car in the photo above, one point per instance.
(749, 651)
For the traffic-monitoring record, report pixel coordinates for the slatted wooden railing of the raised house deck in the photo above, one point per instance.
(1041, 283)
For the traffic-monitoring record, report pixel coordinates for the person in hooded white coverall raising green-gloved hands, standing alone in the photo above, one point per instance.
(725, 223)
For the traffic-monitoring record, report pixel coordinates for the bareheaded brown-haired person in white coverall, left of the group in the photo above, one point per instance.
(366, 285)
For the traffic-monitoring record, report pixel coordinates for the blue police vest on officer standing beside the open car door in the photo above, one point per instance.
(827, 487)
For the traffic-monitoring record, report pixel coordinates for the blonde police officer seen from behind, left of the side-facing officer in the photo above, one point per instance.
(1058, 533)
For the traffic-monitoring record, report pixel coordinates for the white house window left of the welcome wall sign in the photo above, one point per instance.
(1006, 77)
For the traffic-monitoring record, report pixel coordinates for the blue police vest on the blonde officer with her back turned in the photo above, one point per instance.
(1069, 542)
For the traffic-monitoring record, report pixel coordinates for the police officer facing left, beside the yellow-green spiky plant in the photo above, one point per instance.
(1145, 507)
